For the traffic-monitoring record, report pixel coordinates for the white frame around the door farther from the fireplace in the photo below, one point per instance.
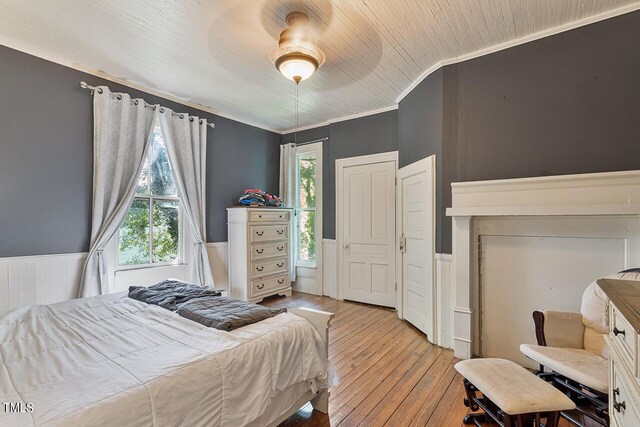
(341, 164)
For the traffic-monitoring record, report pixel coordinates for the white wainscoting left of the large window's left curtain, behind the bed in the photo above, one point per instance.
(42, 279)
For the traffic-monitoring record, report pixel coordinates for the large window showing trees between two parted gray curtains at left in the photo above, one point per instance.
(150, 233)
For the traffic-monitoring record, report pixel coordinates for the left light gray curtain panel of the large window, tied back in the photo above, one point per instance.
(122, 131)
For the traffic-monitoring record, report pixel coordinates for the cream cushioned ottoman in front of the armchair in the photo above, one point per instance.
(510, 395)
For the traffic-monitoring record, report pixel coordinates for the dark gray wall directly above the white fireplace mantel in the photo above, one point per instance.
(560, 105)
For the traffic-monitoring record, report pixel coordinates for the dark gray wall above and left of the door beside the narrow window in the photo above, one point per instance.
(373, 134)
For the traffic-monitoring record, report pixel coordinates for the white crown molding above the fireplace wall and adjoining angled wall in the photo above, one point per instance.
(522, 40)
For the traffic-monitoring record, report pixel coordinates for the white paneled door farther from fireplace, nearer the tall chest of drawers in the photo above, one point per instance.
(367, 226)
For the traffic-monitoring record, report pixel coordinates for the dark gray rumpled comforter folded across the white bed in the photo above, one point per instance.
(202, 305)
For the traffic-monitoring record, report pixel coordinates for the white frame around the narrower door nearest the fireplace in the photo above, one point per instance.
(409, 170)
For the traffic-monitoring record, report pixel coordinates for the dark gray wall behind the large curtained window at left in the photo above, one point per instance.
(46, 157)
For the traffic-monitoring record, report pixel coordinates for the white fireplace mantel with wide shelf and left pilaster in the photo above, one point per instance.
(597, 194)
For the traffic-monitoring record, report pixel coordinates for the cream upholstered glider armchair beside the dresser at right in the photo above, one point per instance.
(572, 351)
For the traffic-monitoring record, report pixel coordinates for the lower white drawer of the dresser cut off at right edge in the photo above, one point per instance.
(622, 406)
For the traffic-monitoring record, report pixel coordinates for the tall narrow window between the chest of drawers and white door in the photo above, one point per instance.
(306, 204)
